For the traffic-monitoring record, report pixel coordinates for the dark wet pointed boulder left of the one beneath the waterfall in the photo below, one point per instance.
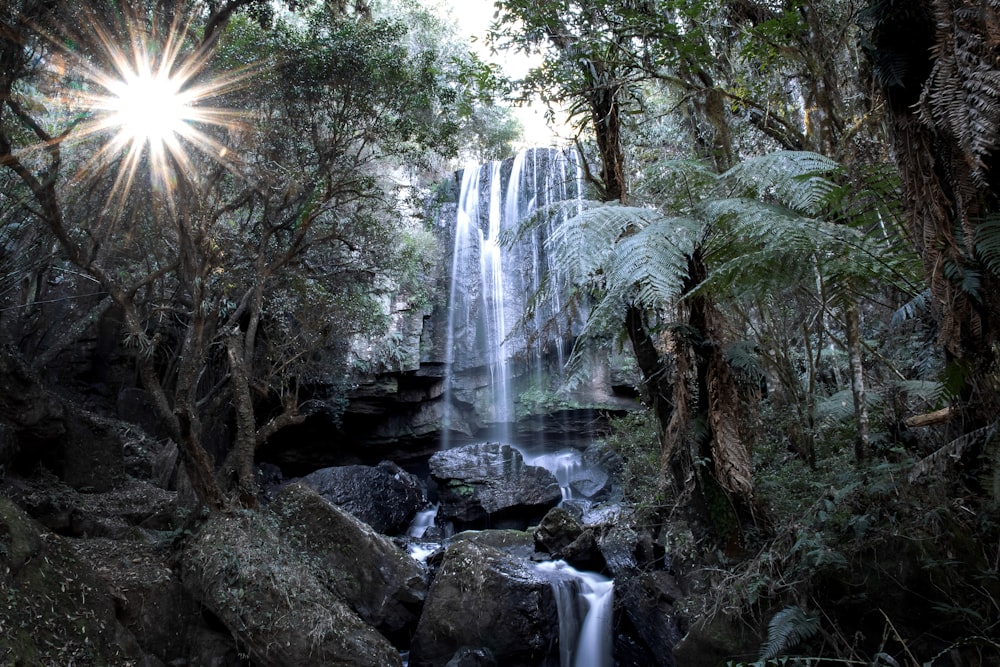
(386, 497)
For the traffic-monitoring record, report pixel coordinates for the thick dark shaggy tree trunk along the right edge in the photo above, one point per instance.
(935, 64)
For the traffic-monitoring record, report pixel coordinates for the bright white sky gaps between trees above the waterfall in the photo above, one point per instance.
(473, 18)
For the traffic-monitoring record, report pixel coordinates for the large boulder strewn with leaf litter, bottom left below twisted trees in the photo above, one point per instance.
(273, 600)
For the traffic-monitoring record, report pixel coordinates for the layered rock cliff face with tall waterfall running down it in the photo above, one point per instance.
(485, 358)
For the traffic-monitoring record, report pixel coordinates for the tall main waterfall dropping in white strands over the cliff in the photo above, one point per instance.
(491, 284)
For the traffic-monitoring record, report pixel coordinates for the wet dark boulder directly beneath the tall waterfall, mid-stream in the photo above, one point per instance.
(489, 485)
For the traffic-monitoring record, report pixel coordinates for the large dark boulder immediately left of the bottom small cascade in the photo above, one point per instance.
(483, 598)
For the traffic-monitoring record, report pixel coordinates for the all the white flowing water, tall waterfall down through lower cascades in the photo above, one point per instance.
(488, 357)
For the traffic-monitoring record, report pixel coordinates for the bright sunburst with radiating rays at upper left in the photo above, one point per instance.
(145, 94)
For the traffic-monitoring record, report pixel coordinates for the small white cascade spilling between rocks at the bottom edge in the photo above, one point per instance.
(585, 602)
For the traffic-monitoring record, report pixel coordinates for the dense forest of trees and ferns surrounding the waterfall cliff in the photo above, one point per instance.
(792, 225)
